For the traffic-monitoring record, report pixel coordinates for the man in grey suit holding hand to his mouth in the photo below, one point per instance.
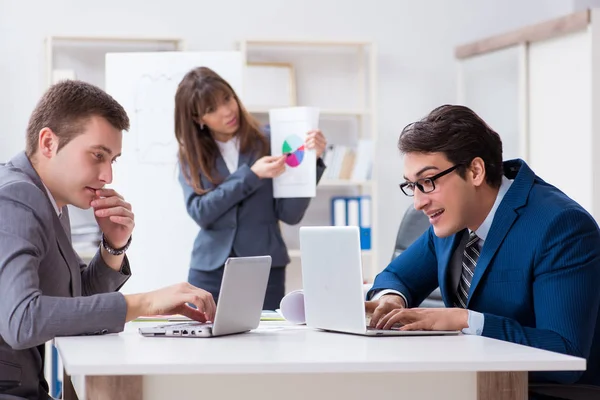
(73, 137)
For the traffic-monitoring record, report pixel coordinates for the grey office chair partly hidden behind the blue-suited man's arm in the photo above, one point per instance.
(414, 223)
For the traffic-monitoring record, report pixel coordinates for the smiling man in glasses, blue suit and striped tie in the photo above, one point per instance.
(514, 257)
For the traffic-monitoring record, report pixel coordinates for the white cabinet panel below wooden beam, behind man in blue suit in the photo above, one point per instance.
(553, 111)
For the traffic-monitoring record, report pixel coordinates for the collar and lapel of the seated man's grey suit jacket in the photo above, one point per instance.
(61, 228)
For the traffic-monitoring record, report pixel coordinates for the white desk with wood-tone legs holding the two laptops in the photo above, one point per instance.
(291, 363)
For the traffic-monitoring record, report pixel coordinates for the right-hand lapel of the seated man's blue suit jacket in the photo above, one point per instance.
(506, 214)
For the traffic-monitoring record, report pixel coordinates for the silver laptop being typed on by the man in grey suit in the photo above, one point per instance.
(241, 299)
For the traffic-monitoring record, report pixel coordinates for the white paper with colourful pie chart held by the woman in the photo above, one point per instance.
(289, 127)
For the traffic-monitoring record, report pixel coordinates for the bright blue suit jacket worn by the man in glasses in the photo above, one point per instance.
(537, 281)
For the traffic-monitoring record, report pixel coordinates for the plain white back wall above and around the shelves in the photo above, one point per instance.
(415, 40)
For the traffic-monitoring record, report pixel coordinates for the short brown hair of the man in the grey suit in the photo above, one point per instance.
(66, 107)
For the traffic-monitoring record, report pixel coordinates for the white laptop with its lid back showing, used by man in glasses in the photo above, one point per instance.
(333, 282)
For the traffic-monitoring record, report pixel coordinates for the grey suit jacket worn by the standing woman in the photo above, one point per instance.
(240, 215)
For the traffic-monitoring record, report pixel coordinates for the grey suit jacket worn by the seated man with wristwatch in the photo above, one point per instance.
(45, 288)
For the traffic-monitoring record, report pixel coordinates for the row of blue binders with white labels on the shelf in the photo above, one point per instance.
(353, 211)
